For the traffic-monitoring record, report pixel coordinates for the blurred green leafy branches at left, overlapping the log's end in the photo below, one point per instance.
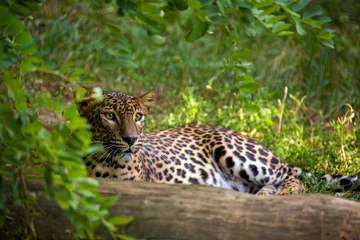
(25, 141)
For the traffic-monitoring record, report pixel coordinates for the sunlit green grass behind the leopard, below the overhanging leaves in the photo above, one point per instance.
(314, 126)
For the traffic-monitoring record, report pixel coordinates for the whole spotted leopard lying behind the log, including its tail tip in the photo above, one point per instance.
(189, 154)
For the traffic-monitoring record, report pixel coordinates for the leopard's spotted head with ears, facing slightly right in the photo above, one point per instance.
(118, 121)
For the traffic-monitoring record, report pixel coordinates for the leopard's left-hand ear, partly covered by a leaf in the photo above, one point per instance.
(86, 98)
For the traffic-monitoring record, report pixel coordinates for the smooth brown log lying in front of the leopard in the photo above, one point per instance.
(200, 212)
